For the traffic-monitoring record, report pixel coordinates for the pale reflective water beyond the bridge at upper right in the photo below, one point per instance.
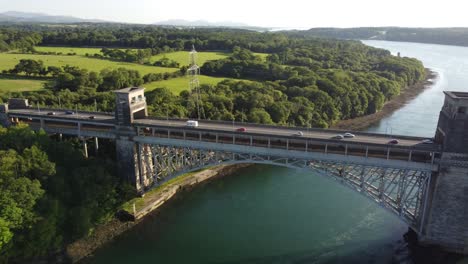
(419, 116)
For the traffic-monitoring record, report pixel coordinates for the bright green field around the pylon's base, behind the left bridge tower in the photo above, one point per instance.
(177, 85)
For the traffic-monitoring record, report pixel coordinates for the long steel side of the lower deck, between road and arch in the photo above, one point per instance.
(327, 146)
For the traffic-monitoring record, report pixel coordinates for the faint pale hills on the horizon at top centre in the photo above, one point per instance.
(204, 23)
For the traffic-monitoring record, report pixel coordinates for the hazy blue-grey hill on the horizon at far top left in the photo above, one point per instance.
(26, 17)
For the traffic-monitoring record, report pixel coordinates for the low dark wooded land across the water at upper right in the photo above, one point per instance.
(445, 36)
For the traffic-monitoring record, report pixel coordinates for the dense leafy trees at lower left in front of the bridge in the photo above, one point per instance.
(50, 194)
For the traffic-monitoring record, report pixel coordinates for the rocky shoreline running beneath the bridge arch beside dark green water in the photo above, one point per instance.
(82, 249)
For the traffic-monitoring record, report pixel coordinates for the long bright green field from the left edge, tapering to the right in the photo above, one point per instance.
(8, 61)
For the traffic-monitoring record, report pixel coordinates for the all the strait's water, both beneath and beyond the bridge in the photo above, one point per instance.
(268, 214)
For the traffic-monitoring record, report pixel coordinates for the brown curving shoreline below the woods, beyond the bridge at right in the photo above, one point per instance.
(406, 95)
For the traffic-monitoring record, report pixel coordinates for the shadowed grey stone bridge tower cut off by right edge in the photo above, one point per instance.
(447, 221)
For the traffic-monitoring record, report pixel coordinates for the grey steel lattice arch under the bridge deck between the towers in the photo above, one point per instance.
(403, 191)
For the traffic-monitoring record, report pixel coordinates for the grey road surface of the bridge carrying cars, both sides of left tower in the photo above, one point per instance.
(107, 121)
